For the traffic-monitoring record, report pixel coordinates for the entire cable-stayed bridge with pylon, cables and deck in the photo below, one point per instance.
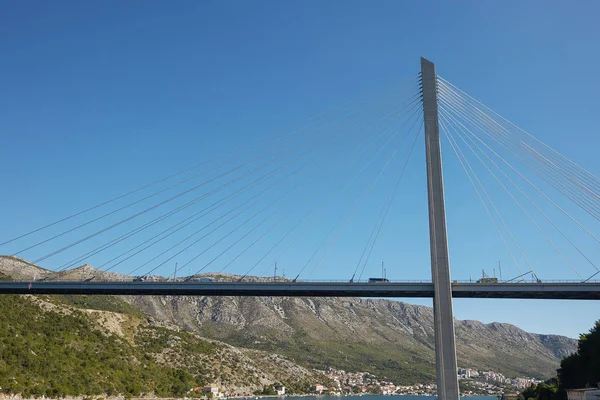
(298, 192)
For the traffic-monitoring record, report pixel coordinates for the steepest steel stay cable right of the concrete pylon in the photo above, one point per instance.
(464, 162)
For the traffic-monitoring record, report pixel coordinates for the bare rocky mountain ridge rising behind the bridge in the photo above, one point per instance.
(386, 338)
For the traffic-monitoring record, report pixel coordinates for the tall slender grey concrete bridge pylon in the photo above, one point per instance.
(445, 345)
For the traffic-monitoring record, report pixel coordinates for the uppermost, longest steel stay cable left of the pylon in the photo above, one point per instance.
(245, 146)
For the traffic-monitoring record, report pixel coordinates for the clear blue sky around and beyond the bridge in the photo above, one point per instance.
(98, 98)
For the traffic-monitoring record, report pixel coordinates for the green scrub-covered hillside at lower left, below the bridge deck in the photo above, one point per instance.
(57, 346)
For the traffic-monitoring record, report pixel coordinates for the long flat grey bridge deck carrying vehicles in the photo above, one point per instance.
(585, 291)
